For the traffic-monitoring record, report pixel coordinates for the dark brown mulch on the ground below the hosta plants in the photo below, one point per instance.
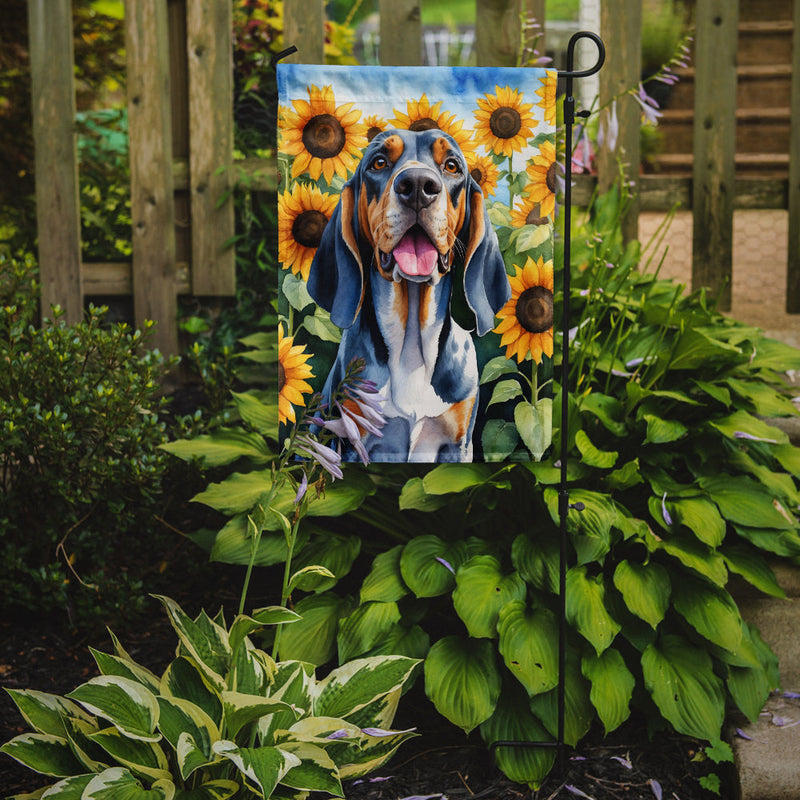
(45, 654)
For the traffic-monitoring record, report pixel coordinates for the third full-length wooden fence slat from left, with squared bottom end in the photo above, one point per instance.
(210, 55)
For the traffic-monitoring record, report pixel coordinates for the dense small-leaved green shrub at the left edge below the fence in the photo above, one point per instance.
(79, 427)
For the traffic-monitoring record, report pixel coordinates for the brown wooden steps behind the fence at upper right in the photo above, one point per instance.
(762, 103)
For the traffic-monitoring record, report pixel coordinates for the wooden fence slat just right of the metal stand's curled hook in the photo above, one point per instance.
(621, 28)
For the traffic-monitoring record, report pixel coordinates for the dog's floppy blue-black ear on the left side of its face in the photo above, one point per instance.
(336, 278)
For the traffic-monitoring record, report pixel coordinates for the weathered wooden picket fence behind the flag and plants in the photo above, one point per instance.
(181, 134)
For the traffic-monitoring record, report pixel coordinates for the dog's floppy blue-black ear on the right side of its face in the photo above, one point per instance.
(486, 284)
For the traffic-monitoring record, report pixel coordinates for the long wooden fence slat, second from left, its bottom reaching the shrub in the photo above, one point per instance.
(152, 201)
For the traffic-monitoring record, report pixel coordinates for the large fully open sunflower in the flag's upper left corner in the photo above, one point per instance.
(325, 138)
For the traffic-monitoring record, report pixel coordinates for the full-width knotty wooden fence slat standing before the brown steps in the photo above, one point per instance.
(717, 23)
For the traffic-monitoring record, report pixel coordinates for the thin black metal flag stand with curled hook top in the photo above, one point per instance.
(564, 505)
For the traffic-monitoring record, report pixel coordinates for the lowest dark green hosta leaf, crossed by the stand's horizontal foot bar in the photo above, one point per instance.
(512, 721)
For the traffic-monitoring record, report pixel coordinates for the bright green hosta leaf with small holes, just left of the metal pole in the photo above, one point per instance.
(529, 645)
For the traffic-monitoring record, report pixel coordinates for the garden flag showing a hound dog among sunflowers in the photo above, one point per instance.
(415, 218)
